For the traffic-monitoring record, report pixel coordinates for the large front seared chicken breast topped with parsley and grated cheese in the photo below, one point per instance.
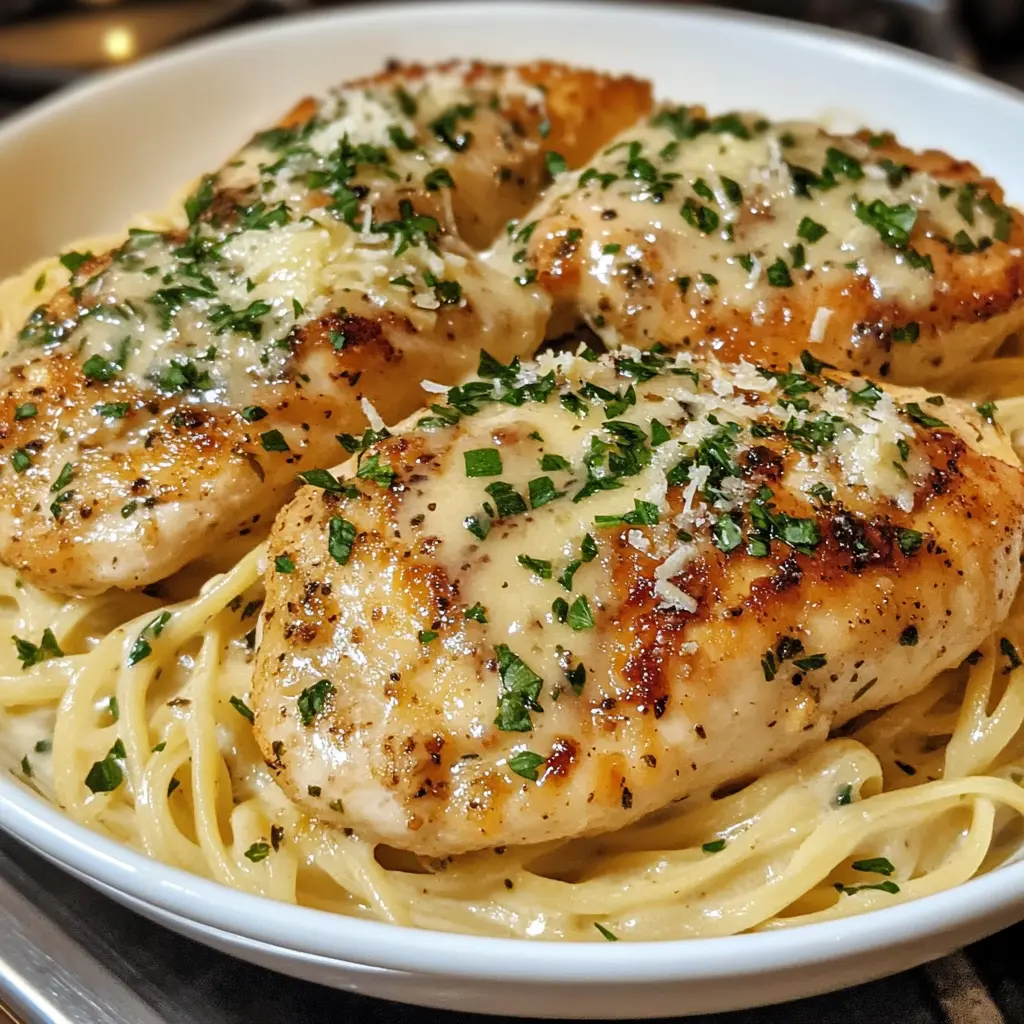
(582, 590)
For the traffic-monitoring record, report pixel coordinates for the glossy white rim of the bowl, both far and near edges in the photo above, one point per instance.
(311, 933)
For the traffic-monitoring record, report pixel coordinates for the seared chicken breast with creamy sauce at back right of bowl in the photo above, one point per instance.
(757, 240)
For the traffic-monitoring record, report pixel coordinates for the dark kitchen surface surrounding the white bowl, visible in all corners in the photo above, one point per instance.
(137, 970)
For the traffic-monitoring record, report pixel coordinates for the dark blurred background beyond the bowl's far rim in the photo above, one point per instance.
(48, 44)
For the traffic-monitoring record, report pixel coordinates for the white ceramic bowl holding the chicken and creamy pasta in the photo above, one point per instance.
(84, 162)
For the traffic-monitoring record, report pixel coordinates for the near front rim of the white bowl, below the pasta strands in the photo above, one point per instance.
(321, 934)
